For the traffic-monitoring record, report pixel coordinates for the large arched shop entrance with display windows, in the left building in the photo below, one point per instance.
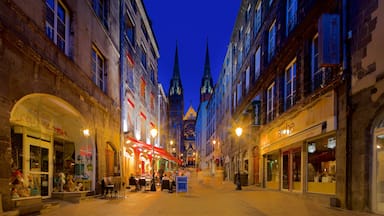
(50, 140)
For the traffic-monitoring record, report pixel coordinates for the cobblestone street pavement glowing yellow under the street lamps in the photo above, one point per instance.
(202, 199)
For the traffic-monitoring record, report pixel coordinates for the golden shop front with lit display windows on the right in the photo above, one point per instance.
(299, 153)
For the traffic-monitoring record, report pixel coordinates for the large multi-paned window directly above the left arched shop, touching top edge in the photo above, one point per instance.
(57, 24)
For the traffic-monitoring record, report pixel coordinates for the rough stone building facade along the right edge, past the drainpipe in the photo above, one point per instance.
(365, 146)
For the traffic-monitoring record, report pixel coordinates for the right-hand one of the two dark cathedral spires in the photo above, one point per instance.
(206, 88)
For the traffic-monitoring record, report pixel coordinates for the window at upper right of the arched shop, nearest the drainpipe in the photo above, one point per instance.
(98, 69)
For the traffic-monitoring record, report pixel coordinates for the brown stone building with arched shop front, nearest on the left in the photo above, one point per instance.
(60, 104)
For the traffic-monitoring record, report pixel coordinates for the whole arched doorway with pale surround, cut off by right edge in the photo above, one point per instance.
(378, 169)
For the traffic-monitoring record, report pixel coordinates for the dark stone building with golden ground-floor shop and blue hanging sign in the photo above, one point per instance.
(285, 93)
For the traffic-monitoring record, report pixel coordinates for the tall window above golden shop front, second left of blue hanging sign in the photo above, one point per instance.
(290, 85)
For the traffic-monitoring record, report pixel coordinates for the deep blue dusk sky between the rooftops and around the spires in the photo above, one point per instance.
(191, 24)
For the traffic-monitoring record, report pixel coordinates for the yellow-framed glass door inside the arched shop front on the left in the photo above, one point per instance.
(38, 166)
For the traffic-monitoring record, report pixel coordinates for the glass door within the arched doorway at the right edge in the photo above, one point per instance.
(378, 199)
